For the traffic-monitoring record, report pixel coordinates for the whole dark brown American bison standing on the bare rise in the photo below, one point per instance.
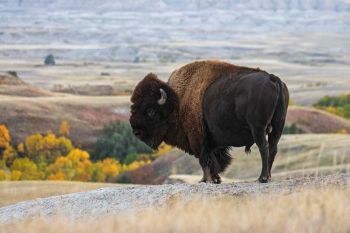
(206, 107)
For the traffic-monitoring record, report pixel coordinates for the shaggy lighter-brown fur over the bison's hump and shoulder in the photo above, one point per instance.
(189, 83)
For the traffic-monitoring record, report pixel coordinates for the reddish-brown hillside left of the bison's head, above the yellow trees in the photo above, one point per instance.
(86, 115)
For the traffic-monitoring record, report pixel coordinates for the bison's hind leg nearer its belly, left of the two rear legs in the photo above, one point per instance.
(260, 140)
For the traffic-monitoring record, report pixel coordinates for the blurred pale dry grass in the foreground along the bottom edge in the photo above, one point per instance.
(323, 210)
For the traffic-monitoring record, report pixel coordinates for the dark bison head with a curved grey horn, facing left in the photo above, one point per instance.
(153, 101)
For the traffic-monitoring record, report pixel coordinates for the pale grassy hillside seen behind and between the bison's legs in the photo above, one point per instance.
(298, 156)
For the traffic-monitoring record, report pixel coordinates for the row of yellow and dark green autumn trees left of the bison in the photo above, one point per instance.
(54, 157)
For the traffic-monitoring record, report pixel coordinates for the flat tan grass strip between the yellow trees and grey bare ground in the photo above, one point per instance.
(15, 191)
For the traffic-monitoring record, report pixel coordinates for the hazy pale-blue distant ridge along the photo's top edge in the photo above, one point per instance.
(184, 5)
